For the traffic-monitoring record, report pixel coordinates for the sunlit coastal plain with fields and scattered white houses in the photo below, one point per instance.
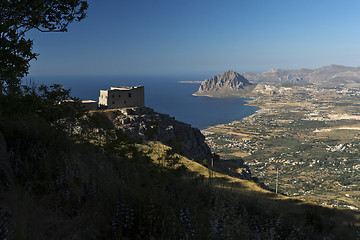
(306, 142)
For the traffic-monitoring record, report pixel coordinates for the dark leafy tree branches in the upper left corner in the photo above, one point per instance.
(18, 17)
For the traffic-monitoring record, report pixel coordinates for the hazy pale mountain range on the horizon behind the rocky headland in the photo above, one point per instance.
(329, 75)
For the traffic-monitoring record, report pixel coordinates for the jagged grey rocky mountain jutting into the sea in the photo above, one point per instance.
(227, 84)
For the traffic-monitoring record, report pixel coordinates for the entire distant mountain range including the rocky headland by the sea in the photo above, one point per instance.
(232, 84)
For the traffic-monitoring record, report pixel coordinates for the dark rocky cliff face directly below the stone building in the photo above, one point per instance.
(146, 124)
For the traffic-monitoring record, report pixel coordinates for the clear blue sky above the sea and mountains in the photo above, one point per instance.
(184, 37)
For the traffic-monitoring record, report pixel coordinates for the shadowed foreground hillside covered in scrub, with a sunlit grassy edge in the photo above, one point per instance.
(61, 183)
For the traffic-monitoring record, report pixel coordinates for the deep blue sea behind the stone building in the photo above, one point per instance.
(164, 95)
